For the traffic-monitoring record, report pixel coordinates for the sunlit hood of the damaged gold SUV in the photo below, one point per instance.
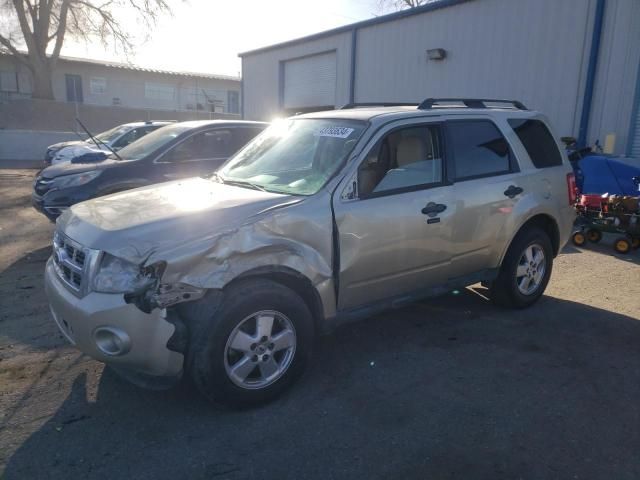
(167, 220)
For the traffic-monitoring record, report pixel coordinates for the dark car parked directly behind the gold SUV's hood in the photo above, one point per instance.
(185, 149)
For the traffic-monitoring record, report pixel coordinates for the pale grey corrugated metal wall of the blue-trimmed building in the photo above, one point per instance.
(536, 51)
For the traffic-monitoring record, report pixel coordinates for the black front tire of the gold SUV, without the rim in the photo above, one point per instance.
(210, 330)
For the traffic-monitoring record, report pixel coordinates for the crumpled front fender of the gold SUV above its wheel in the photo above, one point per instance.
(297, 237)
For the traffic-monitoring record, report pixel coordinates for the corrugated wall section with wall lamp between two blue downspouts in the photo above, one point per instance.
(495, 49)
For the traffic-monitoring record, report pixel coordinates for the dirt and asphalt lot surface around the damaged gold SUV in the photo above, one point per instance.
(452, 388)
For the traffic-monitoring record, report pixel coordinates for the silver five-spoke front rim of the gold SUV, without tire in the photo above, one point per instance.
(260, 349)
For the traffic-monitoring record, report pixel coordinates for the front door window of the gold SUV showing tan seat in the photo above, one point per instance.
(405, 158)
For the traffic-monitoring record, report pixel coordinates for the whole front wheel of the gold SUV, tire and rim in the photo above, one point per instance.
(249, 344)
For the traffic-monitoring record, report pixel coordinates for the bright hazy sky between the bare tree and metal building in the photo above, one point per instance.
(207, 35)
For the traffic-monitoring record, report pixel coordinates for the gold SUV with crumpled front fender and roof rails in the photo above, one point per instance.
(323, 218)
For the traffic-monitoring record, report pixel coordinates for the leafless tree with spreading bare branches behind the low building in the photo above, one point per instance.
(41, 26)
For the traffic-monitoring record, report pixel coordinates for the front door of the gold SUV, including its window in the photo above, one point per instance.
(394, 235)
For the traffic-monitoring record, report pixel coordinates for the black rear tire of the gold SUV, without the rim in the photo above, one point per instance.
(504, 290)
